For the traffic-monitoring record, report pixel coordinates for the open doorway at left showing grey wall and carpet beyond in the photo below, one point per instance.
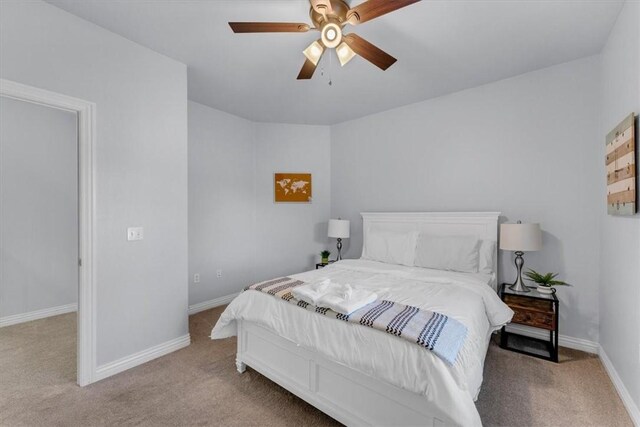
(38, 243)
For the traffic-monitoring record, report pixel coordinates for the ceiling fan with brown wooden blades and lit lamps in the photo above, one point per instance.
(329, 17)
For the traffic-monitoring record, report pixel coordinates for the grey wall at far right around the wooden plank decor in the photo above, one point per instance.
(620, 254)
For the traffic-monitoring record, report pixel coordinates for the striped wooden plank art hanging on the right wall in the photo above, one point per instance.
(621, 168)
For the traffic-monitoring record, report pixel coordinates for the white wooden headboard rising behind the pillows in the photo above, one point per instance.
(482, 225)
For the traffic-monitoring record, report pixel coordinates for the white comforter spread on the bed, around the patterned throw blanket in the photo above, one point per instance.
(465, 297)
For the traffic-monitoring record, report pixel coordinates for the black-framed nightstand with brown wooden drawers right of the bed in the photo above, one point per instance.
(536, 310)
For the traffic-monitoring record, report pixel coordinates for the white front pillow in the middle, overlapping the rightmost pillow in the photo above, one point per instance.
(455, 253)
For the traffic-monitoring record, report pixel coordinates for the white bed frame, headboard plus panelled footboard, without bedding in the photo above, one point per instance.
(347, 395)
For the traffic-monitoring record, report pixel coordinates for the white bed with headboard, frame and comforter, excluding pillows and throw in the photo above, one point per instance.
(362, 376)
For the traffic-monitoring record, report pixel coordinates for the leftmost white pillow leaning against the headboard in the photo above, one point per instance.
(391, 247)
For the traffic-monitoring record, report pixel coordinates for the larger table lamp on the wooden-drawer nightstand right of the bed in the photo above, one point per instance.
(520, 238)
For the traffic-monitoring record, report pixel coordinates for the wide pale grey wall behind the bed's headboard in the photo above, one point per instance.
(523, 146)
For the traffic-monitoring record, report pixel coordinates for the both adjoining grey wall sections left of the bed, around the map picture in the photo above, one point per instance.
(234, 224)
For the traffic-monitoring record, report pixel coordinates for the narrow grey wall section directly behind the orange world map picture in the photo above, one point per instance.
(290, 236)
